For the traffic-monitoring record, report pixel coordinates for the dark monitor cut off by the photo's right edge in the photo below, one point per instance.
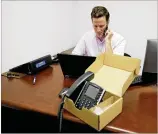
(149, 73)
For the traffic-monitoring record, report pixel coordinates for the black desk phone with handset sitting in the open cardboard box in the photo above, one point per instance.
(85, 93)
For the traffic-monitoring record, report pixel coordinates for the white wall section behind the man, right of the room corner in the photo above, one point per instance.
(135, 20)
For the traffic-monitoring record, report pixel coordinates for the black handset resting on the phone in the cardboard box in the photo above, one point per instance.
(86, 76)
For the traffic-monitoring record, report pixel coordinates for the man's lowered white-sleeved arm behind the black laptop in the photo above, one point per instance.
(80, 47)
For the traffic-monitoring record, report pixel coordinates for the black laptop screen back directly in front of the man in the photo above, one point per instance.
(74, 65)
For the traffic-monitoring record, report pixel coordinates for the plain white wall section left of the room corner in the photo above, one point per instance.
(31, 29)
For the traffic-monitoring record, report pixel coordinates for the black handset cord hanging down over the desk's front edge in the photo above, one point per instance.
(60, 113)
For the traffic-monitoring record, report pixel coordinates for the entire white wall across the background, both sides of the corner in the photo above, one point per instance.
(31, 29)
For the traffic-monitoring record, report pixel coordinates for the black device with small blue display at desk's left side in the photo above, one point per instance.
(34, 66)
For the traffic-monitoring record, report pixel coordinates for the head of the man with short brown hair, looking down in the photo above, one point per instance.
(100, 19)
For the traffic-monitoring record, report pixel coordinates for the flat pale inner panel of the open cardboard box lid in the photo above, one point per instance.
(111, 79)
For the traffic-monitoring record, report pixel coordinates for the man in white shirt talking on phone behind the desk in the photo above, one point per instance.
(101, 39)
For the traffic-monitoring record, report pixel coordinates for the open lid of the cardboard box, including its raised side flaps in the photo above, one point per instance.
(114, 73)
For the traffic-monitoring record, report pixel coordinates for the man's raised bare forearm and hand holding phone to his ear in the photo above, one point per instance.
(108, 37)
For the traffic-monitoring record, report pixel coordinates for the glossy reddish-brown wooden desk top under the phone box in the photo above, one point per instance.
(139, 109)
